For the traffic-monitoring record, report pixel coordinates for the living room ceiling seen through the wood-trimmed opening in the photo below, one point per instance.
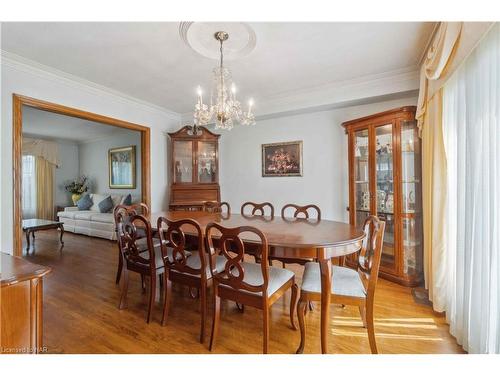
(48, 125)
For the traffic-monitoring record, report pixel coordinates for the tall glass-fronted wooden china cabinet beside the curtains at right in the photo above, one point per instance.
(385, 180)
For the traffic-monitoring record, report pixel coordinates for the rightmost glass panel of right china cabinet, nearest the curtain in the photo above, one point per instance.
(411, 210)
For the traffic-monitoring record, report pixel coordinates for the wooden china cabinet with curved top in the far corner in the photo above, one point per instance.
(194, 168)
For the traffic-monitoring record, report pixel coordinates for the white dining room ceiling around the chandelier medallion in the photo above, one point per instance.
(149, 61)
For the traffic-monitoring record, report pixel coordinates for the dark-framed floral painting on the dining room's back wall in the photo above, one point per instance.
(282, 159)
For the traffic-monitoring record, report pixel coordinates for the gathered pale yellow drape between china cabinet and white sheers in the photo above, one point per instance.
(429, 117)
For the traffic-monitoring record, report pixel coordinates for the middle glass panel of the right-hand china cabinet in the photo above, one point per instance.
(384, 182)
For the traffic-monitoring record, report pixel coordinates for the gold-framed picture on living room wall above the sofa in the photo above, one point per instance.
(122, 168)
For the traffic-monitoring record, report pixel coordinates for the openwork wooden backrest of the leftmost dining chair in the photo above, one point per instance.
(131, 228)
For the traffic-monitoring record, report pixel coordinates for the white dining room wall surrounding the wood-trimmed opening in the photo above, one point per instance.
(30, 81)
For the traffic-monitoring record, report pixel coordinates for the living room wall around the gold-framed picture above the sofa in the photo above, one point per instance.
(94, 161)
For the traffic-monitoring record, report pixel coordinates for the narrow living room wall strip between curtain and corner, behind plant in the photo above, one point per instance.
(67, 170)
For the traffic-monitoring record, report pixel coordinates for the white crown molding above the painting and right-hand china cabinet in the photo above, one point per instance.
(338, 94)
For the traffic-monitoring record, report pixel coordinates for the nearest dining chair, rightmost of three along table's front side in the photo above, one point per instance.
(251, 284)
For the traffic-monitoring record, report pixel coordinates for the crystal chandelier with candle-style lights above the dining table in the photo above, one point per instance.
(226, 110)
